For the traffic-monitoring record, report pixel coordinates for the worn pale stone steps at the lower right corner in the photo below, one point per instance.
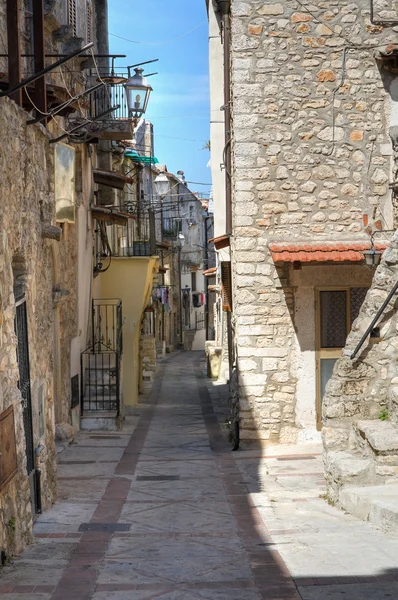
(363, 479)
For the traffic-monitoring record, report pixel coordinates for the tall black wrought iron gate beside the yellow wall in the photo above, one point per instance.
(101, 361)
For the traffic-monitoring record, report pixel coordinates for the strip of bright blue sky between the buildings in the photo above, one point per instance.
(179, 104)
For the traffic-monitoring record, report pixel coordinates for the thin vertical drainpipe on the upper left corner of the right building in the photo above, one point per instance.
(224, 8)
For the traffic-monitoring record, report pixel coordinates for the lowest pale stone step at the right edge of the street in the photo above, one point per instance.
(377, 504)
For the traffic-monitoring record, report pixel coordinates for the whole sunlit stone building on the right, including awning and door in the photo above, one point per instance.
(303, 138)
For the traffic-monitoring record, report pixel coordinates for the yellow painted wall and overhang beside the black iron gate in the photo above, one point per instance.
(131, 280)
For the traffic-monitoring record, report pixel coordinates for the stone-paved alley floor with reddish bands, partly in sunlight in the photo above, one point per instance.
(163, 510)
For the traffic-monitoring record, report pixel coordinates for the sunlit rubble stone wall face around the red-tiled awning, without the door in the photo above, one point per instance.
(311, 153)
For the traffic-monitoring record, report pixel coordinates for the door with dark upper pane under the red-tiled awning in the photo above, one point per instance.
(336, 310)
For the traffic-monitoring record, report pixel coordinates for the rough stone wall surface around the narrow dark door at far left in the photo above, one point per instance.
(27, 202)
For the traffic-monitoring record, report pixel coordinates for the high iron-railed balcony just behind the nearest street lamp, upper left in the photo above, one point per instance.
(116, 125)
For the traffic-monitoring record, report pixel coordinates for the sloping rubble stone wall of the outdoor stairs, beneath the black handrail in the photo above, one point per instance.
(360, 410)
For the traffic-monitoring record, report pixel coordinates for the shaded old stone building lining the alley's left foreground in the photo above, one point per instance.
(46, 256)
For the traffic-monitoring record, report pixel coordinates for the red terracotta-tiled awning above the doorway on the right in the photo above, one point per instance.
(322, 252)
